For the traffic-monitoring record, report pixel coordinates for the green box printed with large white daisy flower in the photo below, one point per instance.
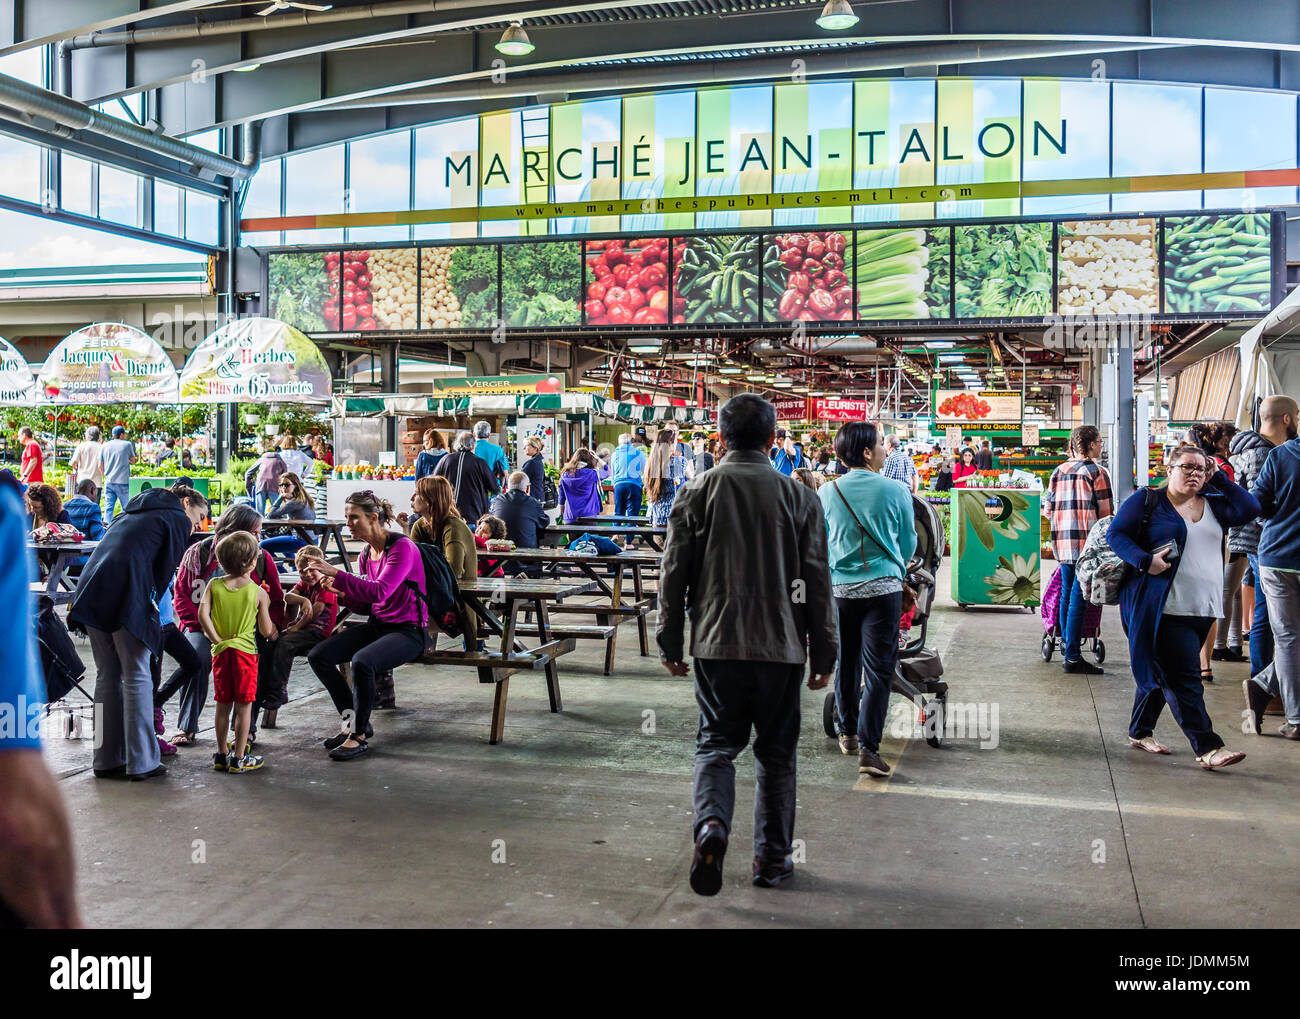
(995, 545)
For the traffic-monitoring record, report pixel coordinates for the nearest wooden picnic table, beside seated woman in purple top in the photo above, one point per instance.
(514, 593)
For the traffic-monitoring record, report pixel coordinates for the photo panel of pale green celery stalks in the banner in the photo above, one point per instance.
(903, 274)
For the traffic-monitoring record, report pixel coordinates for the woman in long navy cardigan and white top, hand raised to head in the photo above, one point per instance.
(1176, 593)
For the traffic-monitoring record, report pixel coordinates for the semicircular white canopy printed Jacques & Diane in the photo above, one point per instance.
(109, 363)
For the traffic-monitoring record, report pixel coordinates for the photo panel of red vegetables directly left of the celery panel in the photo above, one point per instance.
(808, 277)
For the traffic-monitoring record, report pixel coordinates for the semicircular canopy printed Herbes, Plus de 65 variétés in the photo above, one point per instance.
(257, 361)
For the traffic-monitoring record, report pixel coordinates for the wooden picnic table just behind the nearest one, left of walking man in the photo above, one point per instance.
(606, 573)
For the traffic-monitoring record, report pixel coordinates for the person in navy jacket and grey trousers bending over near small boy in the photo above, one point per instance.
(116, 602)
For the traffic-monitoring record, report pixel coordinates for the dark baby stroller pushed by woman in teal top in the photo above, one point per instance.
(920, 670)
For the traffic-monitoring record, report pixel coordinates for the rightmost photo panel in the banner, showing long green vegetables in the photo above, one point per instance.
(1219, 263)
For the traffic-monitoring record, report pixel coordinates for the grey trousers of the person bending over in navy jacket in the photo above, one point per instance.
(124, 704)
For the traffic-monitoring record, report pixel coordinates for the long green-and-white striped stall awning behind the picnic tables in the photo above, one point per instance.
(528, 404)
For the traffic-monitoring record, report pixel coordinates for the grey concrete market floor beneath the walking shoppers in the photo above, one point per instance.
(583, 819)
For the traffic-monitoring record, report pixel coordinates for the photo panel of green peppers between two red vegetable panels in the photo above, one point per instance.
(716, 279)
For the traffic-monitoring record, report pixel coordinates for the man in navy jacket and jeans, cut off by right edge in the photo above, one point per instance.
(1277, 563)
